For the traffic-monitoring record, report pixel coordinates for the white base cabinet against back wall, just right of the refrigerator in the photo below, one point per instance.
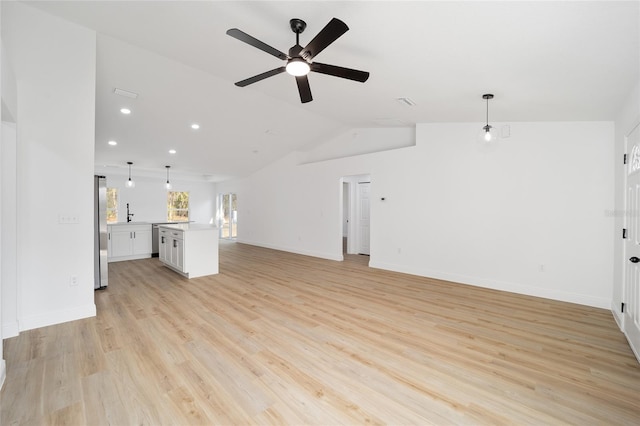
(128, 241)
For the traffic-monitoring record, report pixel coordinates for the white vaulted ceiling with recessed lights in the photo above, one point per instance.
(543, 60)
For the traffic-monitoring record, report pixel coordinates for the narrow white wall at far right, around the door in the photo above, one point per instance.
(627, 119)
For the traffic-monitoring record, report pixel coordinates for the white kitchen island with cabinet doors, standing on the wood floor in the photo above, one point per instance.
(189, 249)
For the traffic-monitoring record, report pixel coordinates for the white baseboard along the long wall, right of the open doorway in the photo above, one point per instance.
(545, 293)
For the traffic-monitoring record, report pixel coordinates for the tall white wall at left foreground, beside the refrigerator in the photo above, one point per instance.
(54, 65)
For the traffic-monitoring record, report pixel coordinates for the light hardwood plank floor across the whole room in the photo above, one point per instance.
(278, 338)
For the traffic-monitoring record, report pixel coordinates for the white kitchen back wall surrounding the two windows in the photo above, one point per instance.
(148, 199)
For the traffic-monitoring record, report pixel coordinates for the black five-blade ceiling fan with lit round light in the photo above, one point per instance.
(300, 59)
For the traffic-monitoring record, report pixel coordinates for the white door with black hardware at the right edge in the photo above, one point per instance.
(631, 321)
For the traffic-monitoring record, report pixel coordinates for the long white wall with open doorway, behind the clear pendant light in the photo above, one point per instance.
(527, 214)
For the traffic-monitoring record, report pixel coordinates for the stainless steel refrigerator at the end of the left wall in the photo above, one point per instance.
(101, 271)
